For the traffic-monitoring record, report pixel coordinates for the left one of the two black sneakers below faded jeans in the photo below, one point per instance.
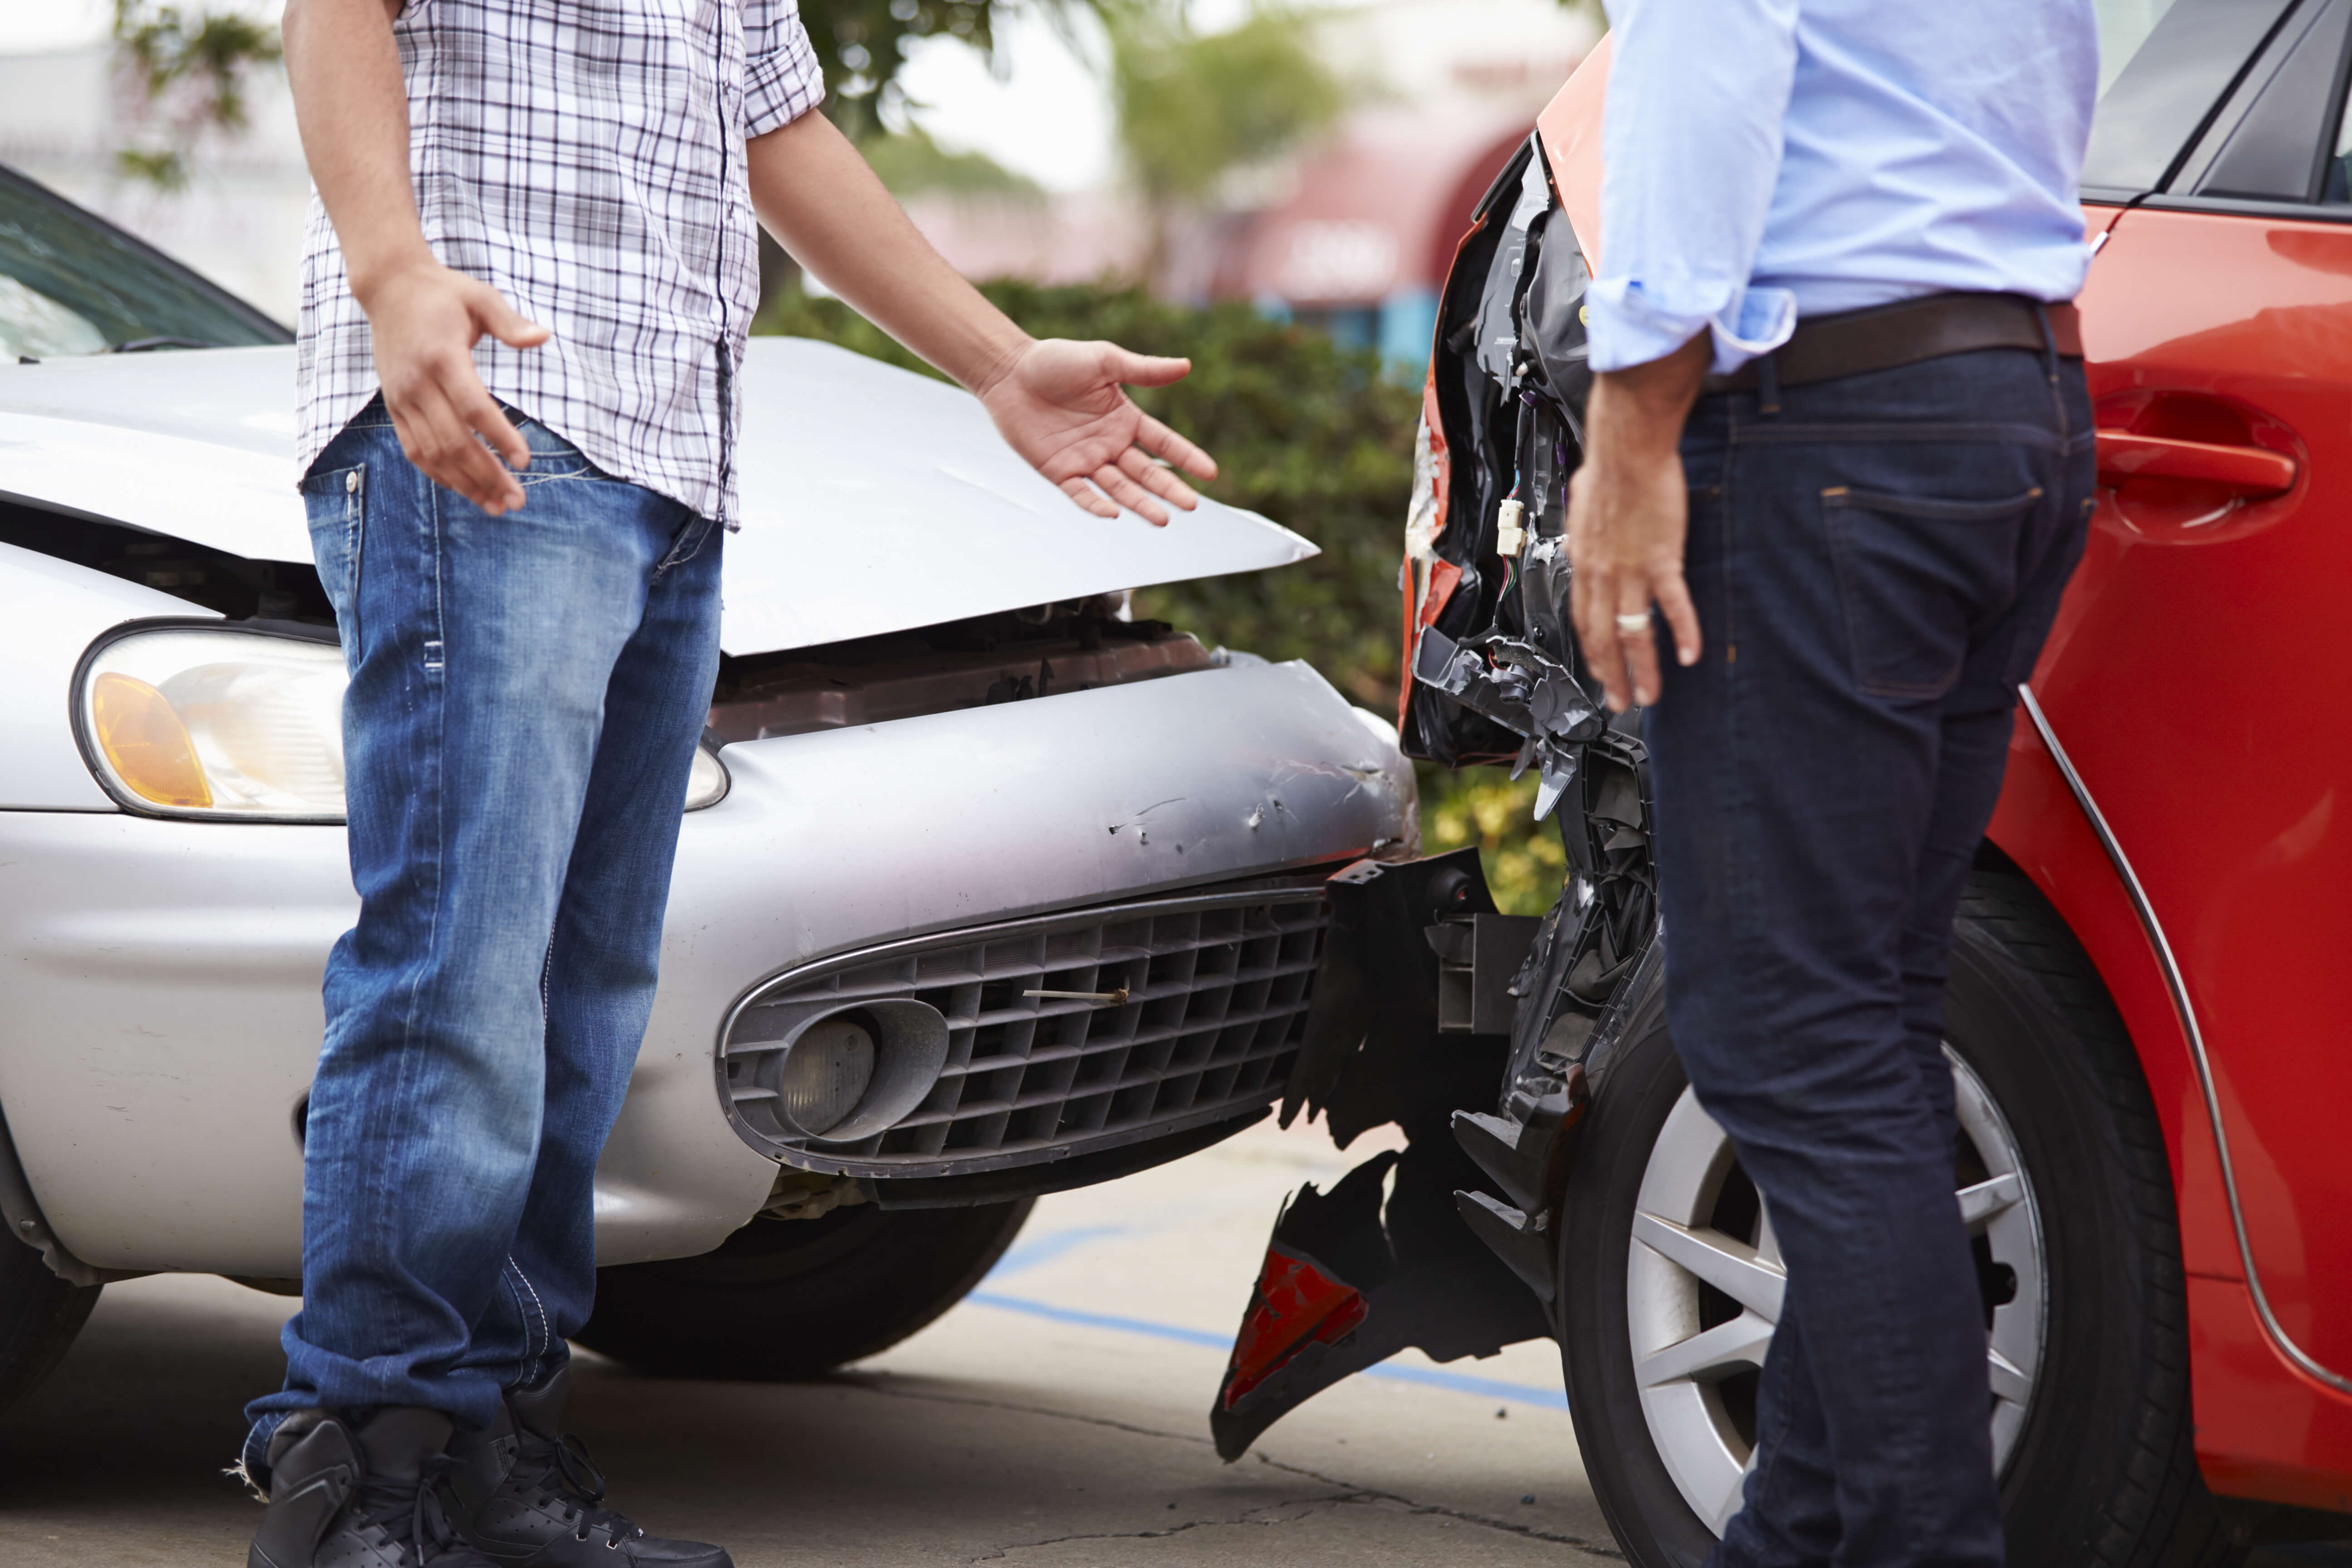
(361, 1494)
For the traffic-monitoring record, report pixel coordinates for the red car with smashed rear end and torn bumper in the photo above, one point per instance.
(2149, 1007)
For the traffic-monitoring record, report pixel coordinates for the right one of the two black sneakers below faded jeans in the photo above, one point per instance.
(526, 1494)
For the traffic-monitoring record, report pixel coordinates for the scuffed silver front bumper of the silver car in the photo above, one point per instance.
(166, 977)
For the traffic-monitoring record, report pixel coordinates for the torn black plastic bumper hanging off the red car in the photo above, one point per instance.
(1483, 1038)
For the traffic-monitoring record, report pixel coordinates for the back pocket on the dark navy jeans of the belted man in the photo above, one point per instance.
(1916, 577)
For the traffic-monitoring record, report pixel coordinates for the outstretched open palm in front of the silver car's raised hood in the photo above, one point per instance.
(1060, 406)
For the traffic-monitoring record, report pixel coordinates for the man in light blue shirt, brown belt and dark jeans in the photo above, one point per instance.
(1836, 361)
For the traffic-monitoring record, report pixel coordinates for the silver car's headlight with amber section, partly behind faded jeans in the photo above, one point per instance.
(222, 723)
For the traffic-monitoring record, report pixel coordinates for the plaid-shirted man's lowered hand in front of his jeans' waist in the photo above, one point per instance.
(427, 321)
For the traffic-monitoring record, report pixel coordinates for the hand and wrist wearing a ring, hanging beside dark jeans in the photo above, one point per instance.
(1629, 509)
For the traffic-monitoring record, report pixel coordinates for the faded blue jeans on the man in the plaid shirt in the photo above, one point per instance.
(526, 699)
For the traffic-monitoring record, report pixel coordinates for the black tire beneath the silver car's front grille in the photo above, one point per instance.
(796, 1299)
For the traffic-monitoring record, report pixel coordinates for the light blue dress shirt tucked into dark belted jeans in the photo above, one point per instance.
(1782, 159)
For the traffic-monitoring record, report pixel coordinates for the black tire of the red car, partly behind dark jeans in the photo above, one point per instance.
(2104, 1475)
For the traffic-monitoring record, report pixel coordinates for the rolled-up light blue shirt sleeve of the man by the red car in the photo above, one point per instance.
(1690, 159)
